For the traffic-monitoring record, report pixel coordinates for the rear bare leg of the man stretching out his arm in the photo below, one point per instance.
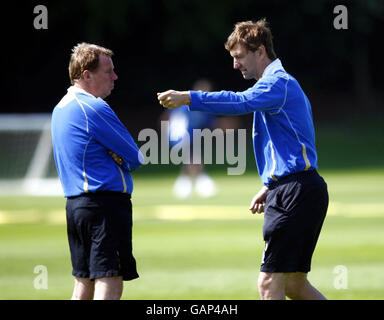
(299, 288)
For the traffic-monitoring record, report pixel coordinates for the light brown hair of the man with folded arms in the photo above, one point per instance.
(85, 56)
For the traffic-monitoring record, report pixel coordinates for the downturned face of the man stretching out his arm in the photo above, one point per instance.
(246, 61)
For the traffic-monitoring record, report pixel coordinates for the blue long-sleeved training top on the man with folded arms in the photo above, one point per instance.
(84, 129)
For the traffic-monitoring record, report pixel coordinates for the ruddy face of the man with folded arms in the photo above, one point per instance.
(103, 78)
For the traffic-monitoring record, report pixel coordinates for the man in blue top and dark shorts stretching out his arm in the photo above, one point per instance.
(294, 197)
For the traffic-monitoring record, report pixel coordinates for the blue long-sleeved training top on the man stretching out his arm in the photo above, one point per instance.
(283, 132)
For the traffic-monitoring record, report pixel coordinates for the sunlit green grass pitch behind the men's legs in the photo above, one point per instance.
(201, 248)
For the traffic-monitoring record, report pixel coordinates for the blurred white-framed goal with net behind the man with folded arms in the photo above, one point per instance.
(27, 166)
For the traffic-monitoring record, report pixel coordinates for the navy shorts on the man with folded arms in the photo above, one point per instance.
(99, 227)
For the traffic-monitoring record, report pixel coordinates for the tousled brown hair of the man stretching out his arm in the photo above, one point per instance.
(252, 35)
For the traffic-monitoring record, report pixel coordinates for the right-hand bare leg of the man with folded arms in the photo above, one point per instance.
(108, 288)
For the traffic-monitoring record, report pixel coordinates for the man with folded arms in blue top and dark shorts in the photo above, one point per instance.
(94, 155)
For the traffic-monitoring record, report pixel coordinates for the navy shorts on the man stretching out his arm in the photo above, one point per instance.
(294, 213)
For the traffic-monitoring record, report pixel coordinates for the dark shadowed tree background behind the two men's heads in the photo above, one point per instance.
(166, 44)
